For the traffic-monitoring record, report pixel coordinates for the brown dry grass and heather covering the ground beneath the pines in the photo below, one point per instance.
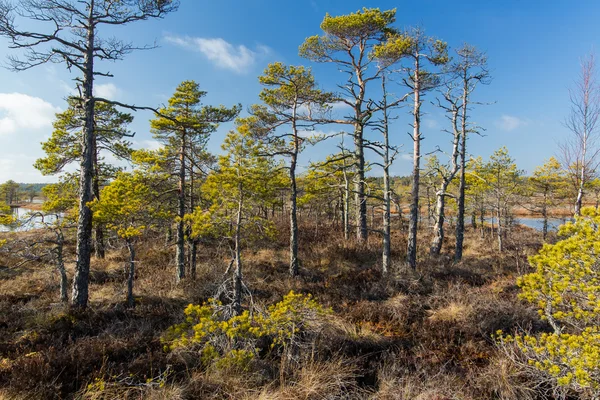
(421, 334)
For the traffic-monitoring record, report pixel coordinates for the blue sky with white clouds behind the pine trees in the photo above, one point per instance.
(534, 48)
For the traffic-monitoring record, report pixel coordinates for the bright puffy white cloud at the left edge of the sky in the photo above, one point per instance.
(20, 111)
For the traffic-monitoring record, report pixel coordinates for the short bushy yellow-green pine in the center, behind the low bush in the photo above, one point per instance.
(242, 182)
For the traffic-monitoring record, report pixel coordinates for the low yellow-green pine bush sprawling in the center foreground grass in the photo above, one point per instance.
(233, 342)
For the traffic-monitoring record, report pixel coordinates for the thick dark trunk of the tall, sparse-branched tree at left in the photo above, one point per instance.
(84, 221)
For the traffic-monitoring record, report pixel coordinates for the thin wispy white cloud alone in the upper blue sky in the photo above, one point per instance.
(222, 53)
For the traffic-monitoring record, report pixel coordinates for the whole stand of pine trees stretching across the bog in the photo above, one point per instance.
(190, 195)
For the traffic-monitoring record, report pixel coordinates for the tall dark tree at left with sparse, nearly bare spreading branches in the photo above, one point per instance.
(71, 39)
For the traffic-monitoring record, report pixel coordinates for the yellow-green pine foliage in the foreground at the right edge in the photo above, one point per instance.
(565, 287)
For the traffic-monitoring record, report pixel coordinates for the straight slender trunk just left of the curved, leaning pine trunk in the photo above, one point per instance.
(411, 254)
